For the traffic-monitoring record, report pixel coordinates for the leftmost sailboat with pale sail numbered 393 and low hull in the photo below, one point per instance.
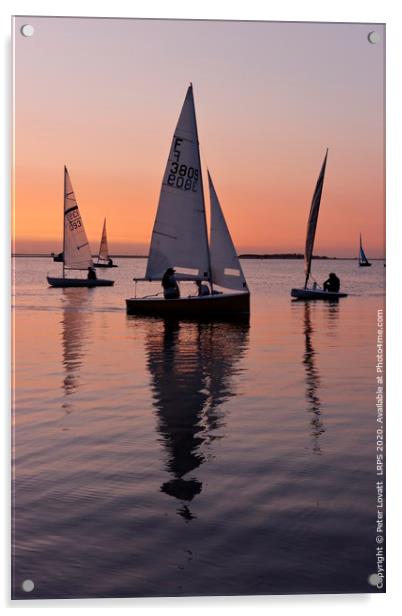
(76, 250)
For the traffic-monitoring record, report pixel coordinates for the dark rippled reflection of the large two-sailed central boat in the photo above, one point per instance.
(192, 367)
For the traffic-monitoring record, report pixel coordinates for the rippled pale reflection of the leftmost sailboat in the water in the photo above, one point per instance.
(75, 325)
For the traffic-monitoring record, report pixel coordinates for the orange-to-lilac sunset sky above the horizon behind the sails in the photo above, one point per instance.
(103, 97)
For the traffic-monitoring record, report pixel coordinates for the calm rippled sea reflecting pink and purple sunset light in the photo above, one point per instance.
(178, 458)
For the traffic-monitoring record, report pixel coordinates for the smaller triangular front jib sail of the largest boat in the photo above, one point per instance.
(225, 264)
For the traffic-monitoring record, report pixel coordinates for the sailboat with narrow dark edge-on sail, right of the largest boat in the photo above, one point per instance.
(314, 292)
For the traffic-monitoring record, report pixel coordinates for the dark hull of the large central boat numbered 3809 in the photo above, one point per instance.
(226, 305)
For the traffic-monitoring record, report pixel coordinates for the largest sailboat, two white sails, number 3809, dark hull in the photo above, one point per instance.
(180, 237)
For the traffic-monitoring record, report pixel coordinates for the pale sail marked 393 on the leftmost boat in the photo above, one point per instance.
(77, 253)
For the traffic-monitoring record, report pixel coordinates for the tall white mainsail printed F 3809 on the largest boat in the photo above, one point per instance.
(179, 237)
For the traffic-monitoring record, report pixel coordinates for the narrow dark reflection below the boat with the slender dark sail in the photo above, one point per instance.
(313, 381)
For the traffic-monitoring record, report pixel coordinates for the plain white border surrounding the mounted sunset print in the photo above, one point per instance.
(388, 12)
